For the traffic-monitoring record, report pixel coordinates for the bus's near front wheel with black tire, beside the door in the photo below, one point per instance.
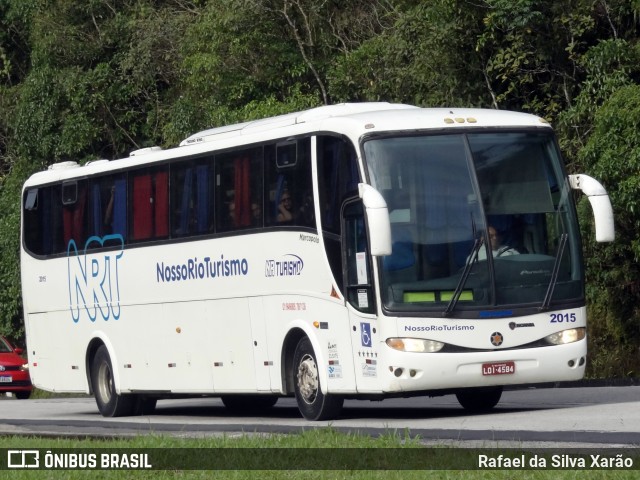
(312, 403)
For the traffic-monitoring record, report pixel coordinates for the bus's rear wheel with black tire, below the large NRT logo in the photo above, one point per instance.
(110, 404)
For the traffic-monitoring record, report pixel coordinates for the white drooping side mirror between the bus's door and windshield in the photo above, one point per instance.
(377, 220)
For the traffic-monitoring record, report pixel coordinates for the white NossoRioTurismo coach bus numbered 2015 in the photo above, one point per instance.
(347, 251)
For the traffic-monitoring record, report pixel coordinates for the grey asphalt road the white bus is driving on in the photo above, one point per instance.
(573, 417)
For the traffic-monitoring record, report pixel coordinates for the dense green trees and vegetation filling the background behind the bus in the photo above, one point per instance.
(92, 79)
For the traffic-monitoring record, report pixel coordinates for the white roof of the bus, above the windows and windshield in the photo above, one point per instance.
(350, 119)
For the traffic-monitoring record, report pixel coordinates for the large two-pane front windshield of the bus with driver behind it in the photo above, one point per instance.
(481, 223)
